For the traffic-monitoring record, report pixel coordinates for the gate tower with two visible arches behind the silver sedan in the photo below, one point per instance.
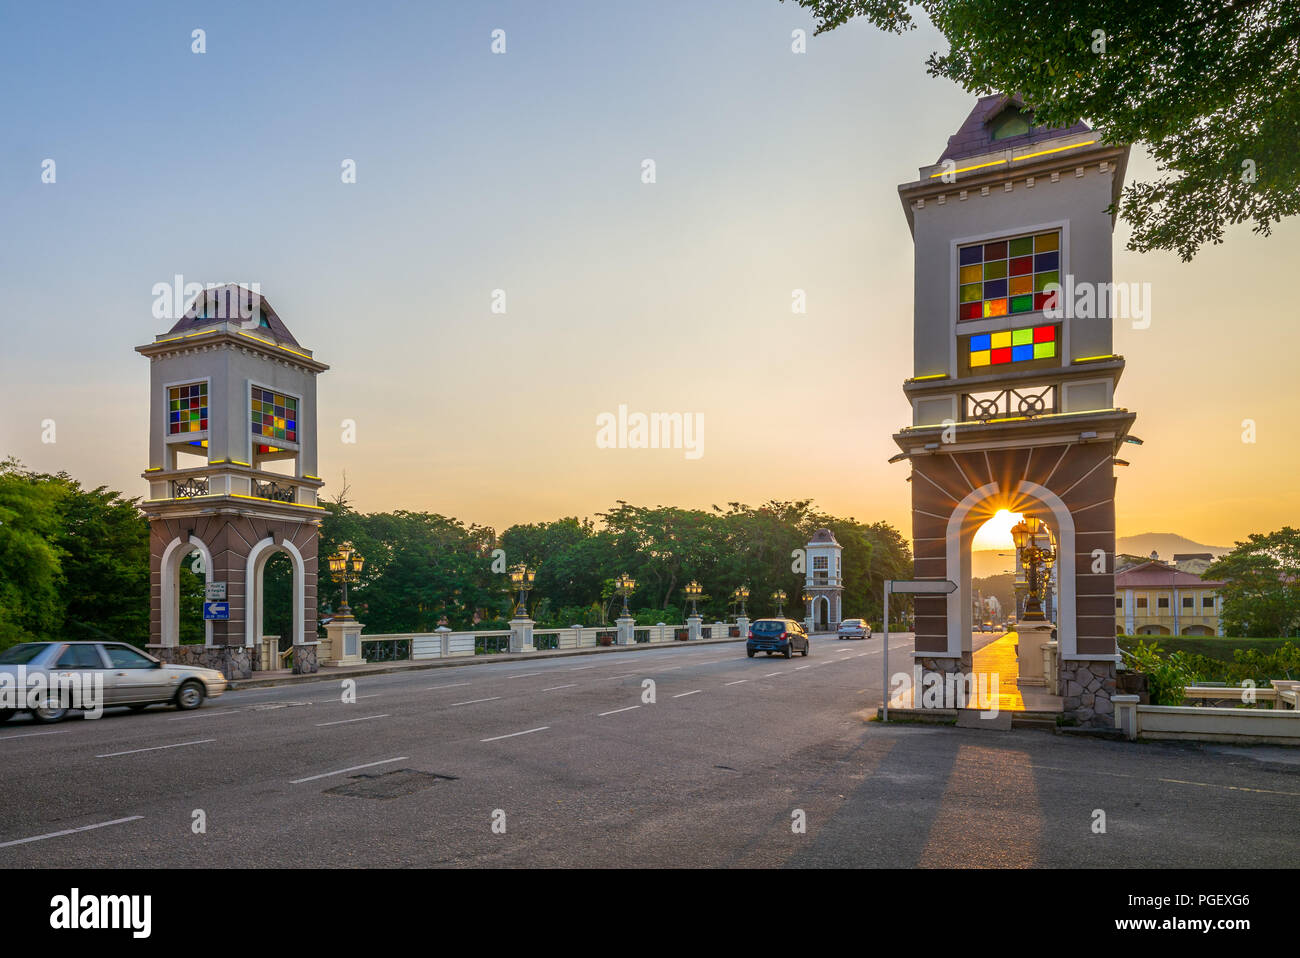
(232, 474)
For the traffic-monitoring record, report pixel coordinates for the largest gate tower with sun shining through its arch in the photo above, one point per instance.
(1015, 378)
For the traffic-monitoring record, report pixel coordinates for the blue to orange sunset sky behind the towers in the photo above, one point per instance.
(523, 172)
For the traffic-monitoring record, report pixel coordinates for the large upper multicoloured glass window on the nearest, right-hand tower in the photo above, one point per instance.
(1008, 276)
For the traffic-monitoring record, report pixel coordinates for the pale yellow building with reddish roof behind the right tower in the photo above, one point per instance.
(1158, 600)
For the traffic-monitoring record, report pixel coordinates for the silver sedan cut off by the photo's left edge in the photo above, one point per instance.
(103, 674)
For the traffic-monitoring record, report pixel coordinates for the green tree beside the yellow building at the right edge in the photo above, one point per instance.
(1262, 592)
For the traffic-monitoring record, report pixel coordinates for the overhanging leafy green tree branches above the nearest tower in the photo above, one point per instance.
(1214, 89)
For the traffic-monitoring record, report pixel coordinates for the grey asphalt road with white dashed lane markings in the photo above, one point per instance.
(582, 771)
